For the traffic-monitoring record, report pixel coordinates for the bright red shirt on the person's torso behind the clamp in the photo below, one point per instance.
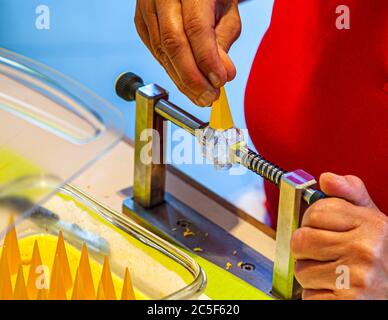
(317, 96)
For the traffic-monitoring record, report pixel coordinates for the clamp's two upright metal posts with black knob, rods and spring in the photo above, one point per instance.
(296, 188)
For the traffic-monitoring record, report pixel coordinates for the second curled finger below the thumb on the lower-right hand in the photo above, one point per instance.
(314, 244)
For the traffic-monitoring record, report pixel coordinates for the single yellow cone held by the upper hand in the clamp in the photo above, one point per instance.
(221, 117)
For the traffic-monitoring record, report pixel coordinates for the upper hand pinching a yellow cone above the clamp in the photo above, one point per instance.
(191, 39)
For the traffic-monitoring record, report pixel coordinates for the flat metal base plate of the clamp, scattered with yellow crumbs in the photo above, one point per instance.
(171, 219)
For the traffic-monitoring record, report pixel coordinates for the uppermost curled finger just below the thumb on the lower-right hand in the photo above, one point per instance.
(332, 214)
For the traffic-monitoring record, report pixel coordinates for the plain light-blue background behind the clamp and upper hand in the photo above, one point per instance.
(93, 41)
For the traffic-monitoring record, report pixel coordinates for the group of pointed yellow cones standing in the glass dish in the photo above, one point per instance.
(59, 285)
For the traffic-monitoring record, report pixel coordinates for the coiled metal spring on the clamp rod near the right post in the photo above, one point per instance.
(263, 168)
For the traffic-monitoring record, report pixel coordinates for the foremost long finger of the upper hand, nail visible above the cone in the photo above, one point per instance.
(199, 25)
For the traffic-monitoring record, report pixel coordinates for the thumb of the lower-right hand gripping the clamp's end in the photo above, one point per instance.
(349, 188)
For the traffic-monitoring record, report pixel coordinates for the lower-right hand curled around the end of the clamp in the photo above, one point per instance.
(341, 248)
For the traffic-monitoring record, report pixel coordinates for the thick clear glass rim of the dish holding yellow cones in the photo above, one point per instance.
(191, 291)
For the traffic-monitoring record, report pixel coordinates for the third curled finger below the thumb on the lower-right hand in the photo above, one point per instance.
(316, 275)
